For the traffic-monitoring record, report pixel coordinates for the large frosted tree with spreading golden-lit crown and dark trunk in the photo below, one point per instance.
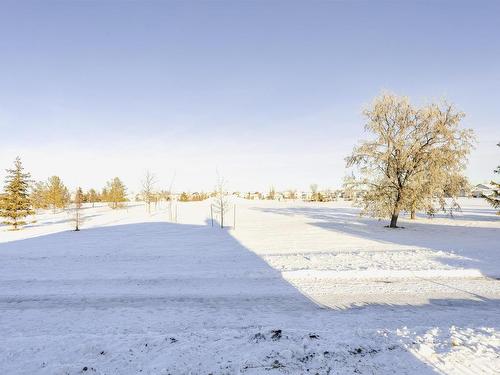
(416, 158)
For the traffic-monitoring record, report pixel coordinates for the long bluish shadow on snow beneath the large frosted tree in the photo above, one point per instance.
(457, 246)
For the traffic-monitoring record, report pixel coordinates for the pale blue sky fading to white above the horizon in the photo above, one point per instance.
(268, 92)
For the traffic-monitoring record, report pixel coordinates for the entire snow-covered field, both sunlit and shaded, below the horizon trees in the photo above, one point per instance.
(295, 288)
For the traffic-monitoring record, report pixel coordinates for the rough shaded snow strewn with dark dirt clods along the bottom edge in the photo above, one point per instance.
(249, 351)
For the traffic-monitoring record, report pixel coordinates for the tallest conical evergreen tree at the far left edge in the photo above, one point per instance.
(15, 204)
